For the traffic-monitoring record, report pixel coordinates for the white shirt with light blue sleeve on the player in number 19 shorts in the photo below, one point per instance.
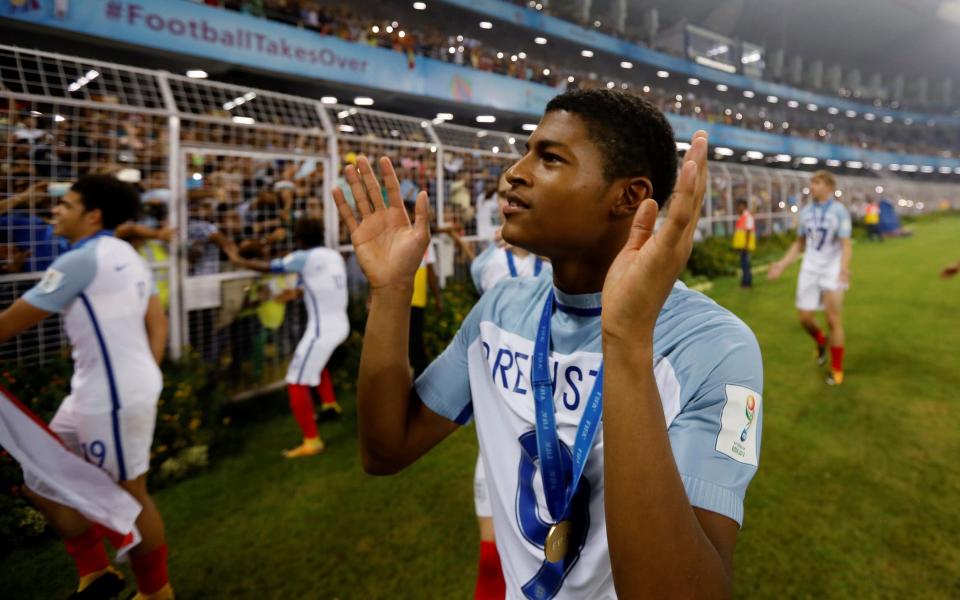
(102, 286)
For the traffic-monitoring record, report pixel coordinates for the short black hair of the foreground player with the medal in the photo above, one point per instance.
(634, 136)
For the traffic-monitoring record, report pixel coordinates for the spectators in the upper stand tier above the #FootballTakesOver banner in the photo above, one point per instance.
(343, 21)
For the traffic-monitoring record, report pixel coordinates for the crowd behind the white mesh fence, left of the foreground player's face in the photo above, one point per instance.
(233, 202)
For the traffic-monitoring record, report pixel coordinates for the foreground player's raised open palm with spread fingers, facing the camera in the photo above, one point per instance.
(388, 248)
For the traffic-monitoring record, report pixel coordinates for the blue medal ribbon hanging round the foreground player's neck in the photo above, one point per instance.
(557, 486)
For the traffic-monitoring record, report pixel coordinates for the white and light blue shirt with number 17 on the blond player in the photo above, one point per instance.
(823, 225)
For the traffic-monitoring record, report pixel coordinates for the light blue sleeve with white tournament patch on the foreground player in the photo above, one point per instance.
(716, 436)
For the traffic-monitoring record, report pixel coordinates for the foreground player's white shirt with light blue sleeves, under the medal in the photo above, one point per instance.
(710, 376)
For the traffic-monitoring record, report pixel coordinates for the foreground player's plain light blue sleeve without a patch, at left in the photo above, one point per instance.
(444, 386)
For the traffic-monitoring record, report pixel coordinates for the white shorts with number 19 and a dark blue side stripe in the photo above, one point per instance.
(117, 442)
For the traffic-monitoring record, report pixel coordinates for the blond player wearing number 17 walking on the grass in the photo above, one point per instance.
(823, 236)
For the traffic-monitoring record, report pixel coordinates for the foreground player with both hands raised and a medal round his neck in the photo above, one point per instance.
(618, 442)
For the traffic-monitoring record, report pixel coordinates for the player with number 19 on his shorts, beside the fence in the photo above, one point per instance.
(116, 325)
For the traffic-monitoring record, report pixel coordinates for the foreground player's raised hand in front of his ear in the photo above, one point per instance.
(642, 275)
